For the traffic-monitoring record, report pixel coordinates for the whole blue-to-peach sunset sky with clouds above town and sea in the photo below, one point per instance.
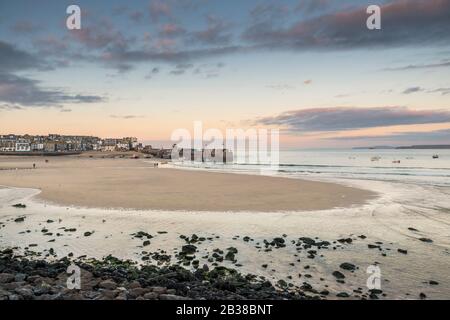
(310, 68)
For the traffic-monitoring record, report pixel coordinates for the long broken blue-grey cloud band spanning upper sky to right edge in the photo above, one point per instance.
(416, 22)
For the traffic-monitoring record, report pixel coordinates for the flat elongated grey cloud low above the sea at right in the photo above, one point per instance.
(350, 118)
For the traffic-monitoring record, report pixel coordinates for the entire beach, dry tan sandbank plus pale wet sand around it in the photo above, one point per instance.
(400, 228)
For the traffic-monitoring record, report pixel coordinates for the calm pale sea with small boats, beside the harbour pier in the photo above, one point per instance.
(411, 166)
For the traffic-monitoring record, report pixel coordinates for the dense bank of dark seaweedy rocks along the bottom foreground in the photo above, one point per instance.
(114, 279)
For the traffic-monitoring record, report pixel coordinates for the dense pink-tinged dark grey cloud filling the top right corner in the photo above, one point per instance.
(403, 23)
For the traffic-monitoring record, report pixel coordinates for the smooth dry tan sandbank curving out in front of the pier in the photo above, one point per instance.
(134, 184)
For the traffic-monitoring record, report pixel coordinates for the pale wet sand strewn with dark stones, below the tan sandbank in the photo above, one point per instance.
(377, 231)
